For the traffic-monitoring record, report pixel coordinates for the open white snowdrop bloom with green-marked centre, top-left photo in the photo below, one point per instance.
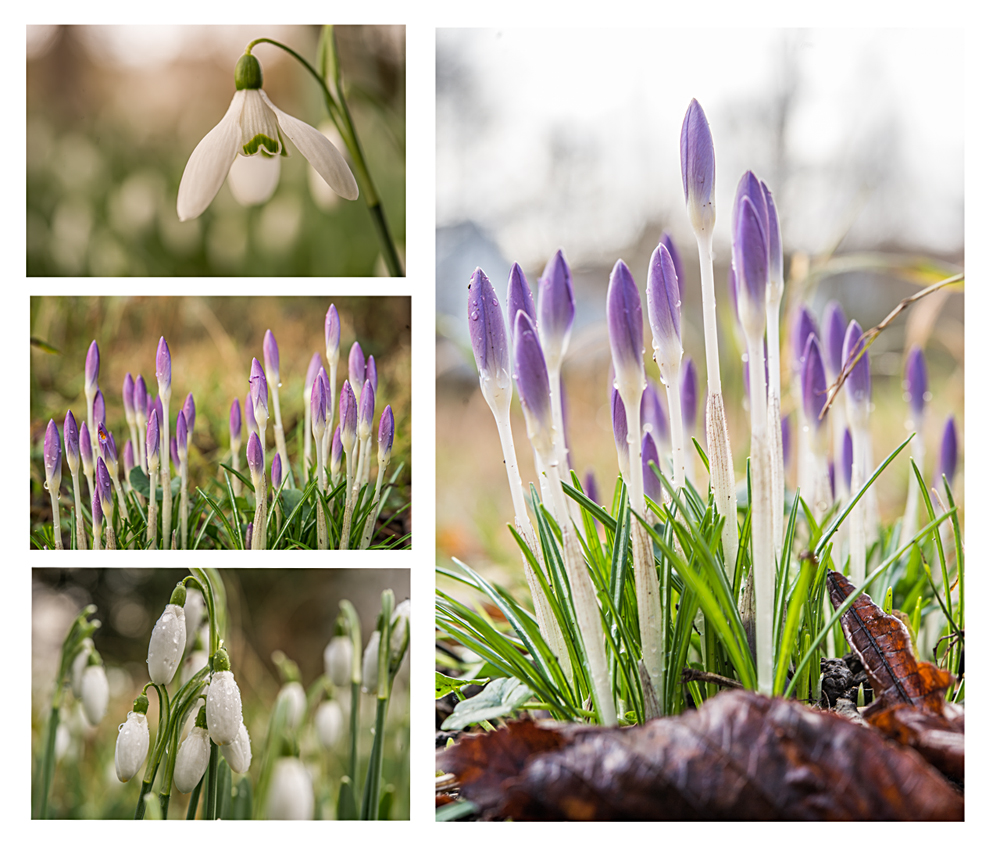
(253, 126)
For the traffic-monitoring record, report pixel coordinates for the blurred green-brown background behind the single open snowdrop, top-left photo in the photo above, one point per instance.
(113, 113)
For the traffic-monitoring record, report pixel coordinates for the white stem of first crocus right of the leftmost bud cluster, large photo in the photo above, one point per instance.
(647, 585)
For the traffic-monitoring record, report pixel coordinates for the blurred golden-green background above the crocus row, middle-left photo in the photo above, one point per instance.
(212, 343)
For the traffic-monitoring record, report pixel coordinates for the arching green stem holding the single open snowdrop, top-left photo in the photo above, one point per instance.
(336, 104)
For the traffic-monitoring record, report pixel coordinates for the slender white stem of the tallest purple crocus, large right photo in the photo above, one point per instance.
(720, 454)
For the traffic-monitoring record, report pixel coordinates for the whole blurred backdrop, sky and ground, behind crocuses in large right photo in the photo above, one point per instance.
(576, 146)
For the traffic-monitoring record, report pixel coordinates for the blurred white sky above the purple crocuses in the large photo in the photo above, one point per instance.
(570, 137)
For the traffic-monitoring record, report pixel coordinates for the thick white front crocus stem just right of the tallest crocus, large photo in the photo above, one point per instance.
(761, 526)
